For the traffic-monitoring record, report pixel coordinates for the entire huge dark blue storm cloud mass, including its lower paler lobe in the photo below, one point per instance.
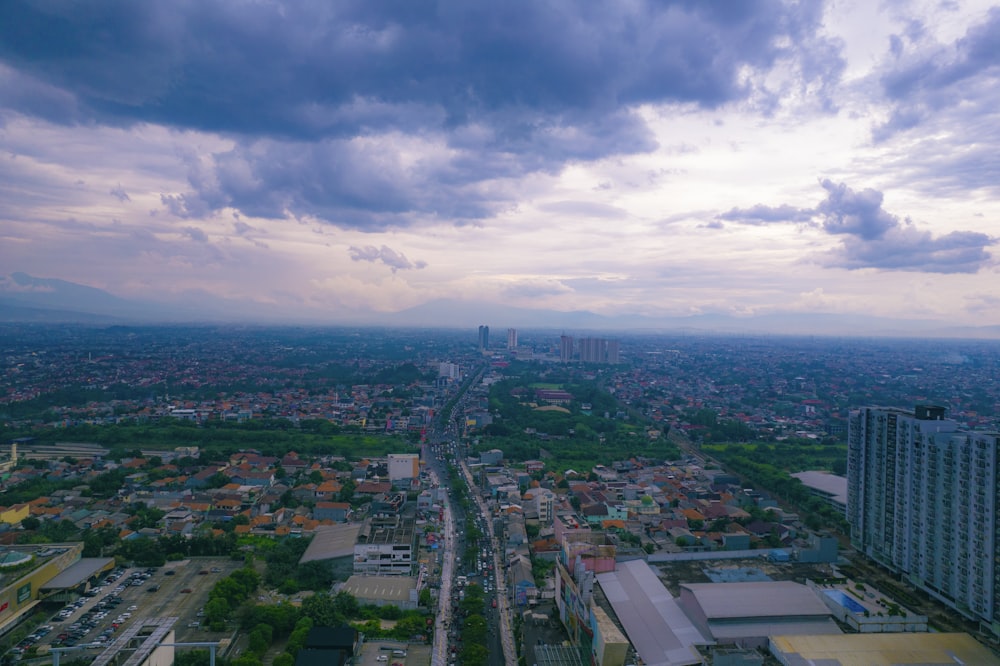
(509, 88)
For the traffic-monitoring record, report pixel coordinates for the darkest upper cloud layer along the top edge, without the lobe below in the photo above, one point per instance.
(300, 69)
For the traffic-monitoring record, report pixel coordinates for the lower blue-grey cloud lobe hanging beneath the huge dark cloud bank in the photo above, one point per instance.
(353, 183)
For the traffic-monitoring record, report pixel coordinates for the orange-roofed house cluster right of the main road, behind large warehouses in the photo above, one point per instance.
(640, 507)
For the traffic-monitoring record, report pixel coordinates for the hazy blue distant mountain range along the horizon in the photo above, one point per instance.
(24, 298)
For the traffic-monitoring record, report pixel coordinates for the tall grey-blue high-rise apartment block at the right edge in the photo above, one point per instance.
(923, 501)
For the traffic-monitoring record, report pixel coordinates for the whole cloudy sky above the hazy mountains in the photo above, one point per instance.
(659, 158)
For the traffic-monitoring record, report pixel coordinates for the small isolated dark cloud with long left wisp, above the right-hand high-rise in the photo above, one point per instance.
(874, 237)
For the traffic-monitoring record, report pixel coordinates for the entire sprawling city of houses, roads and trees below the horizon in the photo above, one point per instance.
(429, 496)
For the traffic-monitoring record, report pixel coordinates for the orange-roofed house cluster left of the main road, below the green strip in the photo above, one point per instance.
(277, 495)
